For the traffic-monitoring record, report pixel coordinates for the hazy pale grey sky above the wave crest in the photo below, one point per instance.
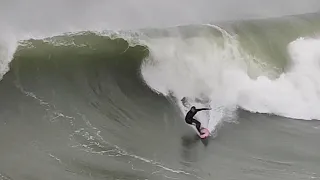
(63, 15)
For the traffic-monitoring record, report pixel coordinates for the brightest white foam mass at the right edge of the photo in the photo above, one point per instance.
(296, 93)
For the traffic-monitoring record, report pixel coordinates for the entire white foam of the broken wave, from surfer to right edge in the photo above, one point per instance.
(214, 75)
